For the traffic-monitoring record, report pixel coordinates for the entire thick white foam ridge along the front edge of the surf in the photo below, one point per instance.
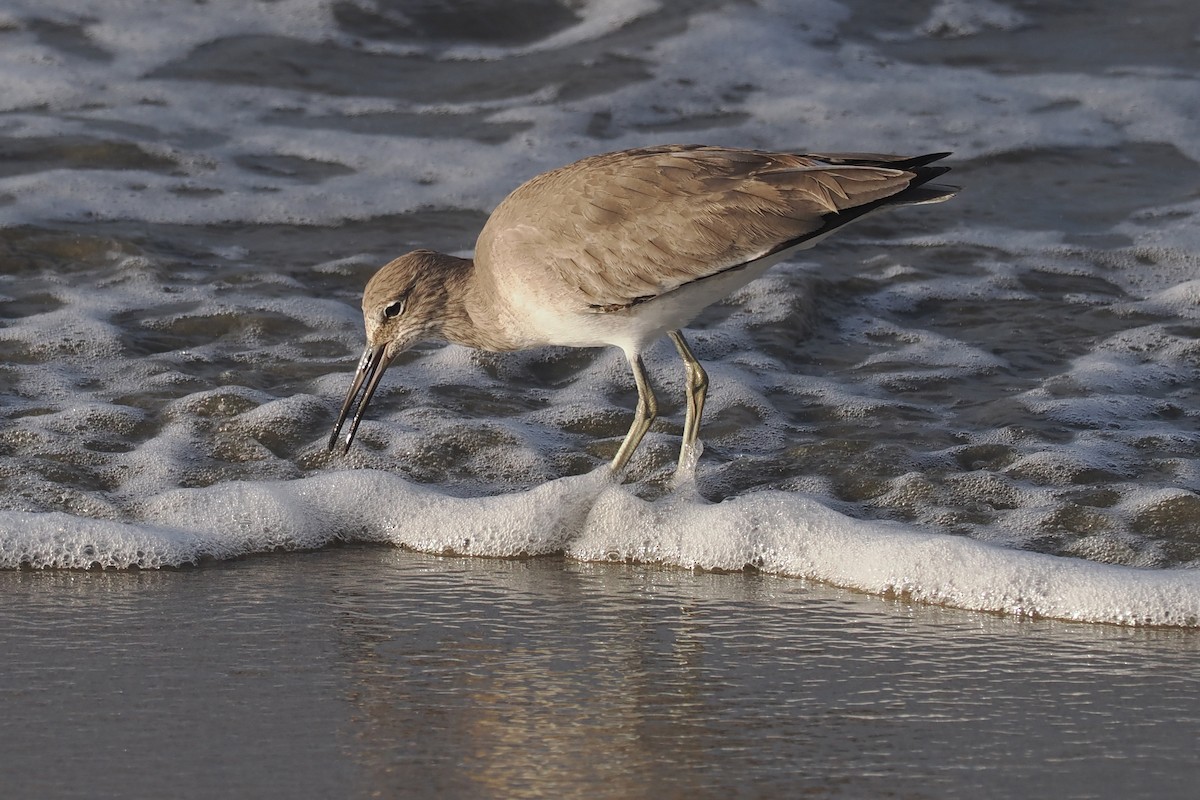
(591, 519)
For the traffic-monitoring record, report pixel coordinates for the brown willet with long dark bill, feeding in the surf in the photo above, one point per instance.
(621, 249)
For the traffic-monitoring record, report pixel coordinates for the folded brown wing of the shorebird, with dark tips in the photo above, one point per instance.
(631, 226)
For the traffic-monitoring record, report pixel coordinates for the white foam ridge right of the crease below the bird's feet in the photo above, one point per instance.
(791, 536)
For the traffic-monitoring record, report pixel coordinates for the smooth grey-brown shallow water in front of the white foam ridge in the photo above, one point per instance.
(375, 672)
